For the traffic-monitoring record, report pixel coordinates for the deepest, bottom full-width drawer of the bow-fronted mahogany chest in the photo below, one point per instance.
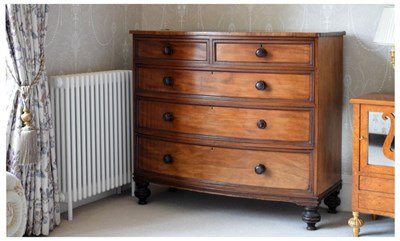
(223, 165)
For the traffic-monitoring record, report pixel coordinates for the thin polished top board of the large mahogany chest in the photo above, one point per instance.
(214, 33)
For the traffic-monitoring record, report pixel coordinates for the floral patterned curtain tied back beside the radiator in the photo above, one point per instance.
(26, 26)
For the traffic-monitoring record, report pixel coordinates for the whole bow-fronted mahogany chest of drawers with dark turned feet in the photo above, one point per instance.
(253, 115)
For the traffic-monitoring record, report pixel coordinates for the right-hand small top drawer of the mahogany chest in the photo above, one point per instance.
(276, 52)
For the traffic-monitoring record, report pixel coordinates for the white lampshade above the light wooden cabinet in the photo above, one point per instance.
(385, 32)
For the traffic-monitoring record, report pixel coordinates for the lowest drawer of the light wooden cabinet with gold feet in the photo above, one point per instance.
(376, 202)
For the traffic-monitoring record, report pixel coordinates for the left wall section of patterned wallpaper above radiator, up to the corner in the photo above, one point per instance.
(85, 38)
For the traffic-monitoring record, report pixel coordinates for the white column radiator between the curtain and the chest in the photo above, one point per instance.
(92, 122)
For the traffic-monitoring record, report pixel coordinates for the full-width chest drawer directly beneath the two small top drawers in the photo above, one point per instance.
(296, 87)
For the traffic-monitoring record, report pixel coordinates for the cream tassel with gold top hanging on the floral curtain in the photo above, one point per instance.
(26, 142)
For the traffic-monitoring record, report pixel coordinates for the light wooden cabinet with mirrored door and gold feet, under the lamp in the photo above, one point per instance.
(373, 157)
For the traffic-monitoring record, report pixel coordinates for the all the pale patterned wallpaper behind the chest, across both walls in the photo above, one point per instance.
(84, 38)
